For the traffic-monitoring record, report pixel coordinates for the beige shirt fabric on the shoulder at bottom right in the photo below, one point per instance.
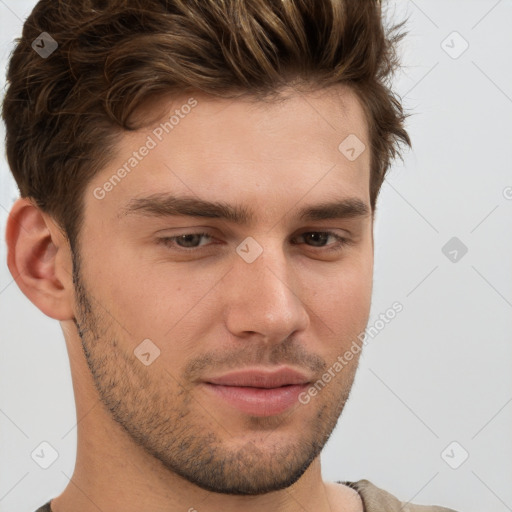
(378, 500)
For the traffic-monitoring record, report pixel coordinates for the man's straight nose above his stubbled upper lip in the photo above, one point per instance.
(265, 298)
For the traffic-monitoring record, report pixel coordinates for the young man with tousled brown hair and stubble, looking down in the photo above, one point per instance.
(198, 186)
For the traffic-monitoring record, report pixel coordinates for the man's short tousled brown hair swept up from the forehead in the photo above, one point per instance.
(65, 113)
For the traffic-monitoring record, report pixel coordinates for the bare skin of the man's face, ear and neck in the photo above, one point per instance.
(171, 444)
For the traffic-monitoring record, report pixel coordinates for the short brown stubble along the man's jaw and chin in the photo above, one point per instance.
(161, 415)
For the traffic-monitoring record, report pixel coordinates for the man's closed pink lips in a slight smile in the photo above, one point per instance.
(259, 392)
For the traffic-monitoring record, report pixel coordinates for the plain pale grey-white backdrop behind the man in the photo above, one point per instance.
(441, 370)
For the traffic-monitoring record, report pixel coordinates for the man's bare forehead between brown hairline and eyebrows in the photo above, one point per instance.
(231, 149)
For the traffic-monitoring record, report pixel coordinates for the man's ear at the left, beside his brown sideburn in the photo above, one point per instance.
(39, 259)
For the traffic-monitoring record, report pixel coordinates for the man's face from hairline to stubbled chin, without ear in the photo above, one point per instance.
(275, 292)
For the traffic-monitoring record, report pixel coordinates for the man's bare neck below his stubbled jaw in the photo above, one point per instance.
(119, 475)
